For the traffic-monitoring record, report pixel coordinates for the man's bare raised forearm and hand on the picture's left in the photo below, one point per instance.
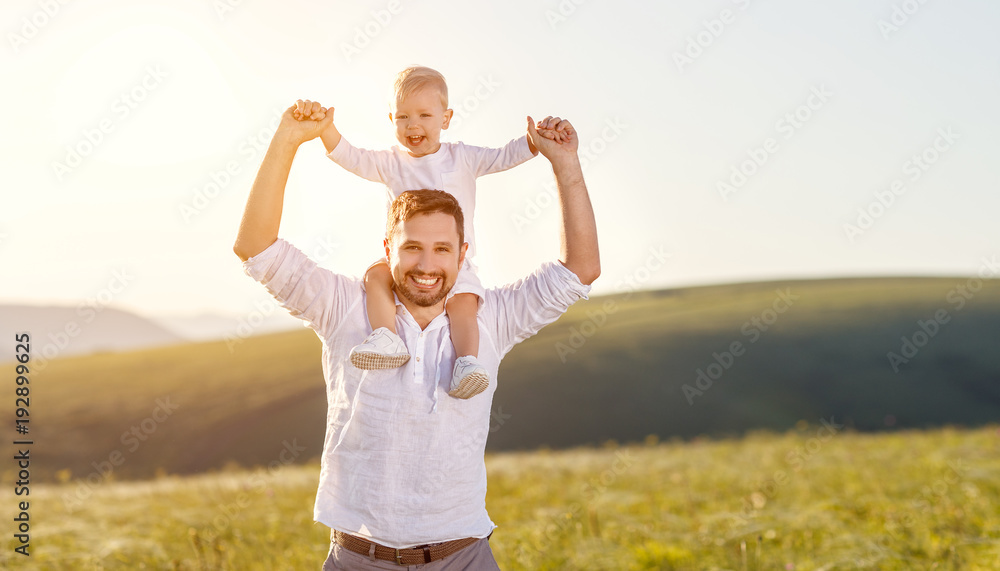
(262, 215)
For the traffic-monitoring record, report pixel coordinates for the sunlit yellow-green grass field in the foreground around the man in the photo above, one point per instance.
(812, 498)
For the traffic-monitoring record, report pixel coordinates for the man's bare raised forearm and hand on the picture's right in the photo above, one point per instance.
(579, 251)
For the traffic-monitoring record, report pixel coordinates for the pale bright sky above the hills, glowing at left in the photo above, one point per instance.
(722, 141)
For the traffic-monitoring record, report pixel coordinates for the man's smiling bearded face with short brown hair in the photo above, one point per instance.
(424, 255)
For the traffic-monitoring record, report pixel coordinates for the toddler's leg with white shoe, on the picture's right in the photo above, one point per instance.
(469, 377)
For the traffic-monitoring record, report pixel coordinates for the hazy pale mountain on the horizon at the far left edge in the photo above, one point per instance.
(59, 331)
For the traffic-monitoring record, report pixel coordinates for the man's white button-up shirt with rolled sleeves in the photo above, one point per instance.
(403, 462)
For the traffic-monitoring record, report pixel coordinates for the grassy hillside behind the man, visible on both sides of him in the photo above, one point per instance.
(614, 367)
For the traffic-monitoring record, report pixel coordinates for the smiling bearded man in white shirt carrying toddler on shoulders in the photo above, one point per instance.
(403, 479)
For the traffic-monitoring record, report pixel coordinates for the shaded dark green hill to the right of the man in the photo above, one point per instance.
(826, 355)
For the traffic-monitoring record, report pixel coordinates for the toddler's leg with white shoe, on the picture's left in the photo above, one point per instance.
(383, 349)
